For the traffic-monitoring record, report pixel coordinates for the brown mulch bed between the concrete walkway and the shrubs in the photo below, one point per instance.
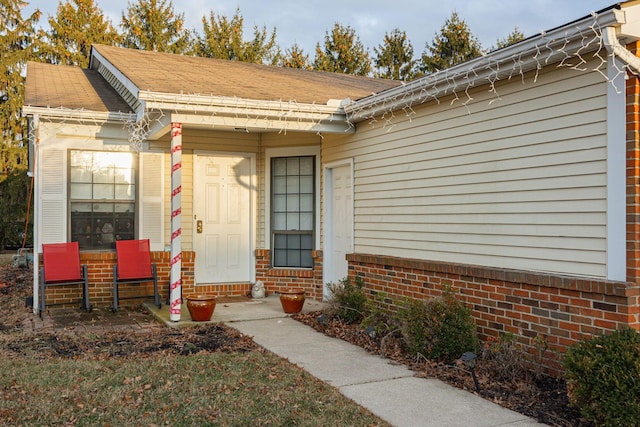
(541, 397)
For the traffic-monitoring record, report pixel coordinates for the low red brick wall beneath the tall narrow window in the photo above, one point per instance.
(277, 279)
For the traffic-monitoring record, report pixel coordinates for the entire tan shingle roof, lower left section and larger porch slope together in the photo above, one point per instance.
(75, 88)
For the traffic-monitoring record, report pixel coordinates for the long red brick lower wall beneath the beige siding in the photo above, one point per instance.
(558, 309)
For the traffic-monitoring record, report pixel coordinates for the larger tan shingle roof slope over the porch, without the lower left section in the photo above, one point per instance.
(169, 73)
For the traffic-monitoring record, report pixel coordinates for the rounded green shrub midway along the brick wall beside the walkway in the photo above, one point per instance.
(441, 328)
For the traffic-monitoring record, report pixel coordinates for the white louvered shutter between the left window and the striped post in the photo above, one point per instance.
(151, 199)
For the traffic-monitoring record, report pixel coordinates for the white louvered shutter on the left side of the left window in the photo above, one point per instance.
(52, 213)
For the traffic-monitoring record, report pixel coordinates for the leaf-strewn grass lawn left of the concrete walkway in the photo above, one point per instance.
(237, 389)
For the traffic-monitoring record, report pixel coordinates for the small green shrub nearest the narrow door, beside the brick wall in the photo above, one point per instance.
(348, 301)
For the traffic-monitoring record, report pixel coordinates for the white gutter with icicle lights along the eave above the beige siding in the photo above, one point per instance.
(519, 58)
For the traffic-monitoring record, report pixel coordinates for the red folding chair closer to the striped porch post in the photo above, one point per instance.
(134, 266)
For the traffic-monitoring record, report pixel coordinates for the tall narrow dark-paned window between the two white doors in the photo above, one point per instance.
(292, 216)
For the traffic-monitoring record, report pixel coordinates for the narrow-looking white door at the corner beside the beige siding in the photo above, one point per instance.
(339, 215)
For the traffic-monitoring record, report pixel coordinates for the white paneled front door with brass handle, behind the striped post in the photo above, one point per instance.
(222, 219)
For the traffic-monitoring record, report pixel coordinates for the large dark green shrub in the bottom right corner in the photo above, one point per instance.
(603, 378)
